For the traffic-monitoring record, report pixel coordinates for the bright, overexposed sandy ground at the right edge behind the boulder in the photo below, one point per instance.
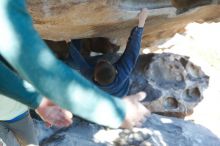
(201, 42)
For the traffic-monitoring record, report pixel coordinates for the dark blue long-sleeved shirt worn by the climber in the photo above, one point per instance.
(124, 66)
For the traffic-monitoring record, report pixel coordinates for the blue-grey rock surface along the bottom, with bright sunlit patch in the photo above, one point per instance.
(157, 131)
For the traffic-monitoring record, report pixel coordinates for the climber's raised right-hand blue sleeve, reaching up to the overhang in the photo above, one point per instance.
(127, 61)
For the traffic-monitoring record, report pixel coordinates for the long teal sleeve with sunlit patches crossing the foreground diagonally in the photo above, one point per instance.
(23, 48)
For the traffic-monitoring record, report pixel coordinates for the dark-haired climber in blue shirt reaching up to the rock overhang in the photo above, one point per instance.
(112, 78)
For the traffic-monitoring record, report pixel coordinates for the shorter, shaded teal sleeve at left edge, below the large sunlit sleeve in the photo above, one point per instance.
(13, 86)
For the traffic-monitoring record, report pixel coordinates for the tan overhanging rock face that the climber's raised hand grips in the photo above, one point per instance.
(67, 19)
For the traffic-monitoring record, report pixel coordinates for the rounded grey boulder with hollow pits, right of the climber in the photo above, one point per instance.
(173, 84)
